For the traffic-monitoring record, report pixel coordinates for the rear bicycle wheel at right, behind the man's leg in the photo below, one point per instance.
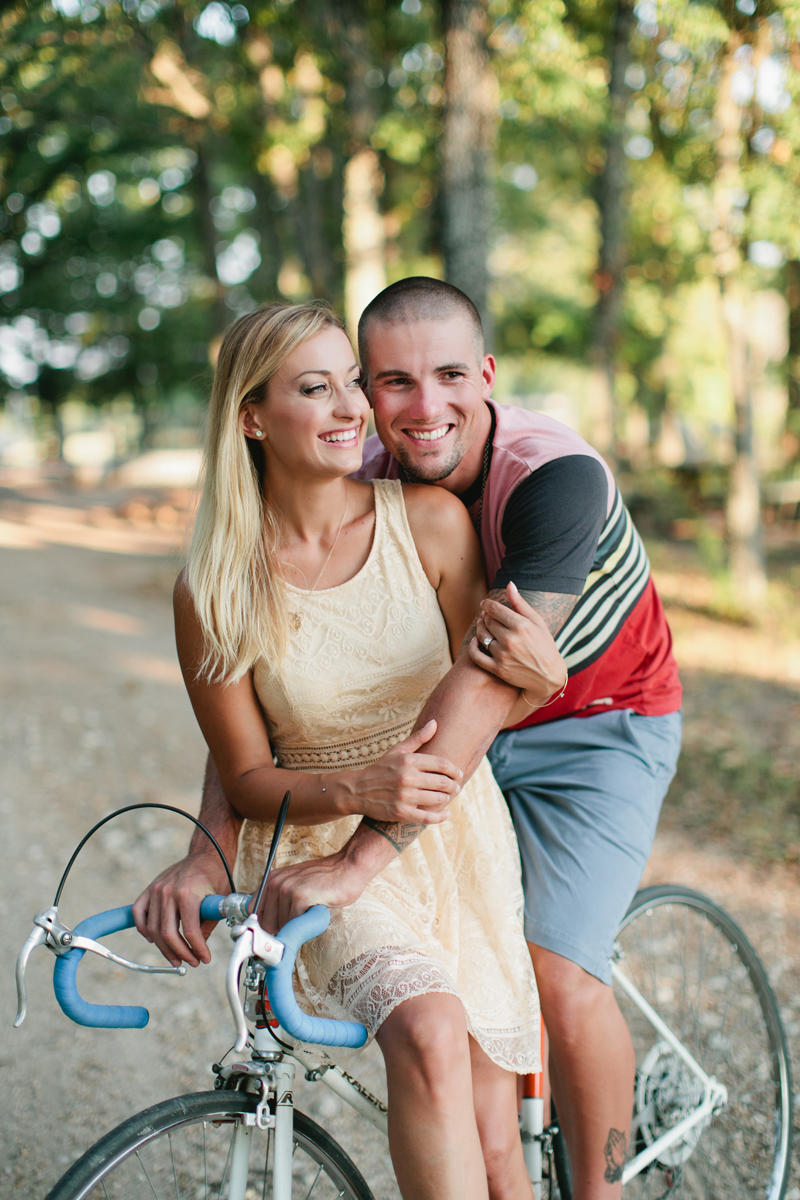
(697, 969)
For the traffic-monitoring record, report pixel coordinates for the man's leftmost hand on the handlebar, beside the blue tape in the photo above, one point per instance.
(169, 911)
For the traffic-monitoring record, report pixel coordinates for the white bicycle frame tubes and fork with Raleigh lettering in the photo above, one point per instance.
(533, 1111)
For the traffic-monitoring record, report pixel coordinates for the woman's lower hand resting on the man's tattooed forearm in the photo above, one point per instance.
(405, 785)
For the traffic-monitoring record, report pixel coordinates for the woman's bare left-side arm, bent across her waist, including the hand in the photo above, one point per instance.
(233, 725)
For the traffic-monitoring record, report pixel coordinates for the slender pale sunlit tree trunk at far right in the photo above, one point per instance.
(745, 535)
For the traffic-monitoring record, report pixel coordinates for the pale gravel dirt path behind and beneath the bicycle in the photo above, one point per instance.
(94, 717)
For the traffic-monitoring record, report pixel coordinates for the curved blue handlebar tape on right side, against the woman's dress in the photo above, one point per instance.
(317, 1030)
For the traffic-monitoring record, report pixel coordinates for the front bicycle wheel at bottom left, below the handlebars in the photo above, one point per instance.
(181, 1150)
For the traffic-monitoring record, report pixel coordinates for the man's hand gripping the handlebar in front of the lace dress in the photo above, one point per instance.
(336, 881)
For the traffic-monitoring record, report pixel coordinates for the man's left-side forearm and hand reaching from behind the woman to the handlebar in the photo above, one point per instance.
(171, 904)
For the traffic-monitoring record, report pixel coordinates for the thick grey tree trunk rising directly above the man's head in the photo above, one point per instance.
(466, 151)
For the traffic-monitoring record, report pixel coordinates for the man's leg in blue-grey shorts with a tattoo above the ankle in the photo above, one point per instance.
(585, 795)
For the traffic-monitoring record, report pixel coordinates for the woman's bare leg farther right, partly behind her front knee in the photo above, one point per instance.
(495, 1093)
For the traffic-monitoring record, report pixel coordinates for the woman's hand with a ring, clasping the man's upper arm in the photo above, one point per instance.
(522, 651)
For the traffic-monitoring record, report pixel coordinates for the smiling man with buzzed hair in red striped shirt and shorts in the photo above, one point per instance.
(585, 775)
